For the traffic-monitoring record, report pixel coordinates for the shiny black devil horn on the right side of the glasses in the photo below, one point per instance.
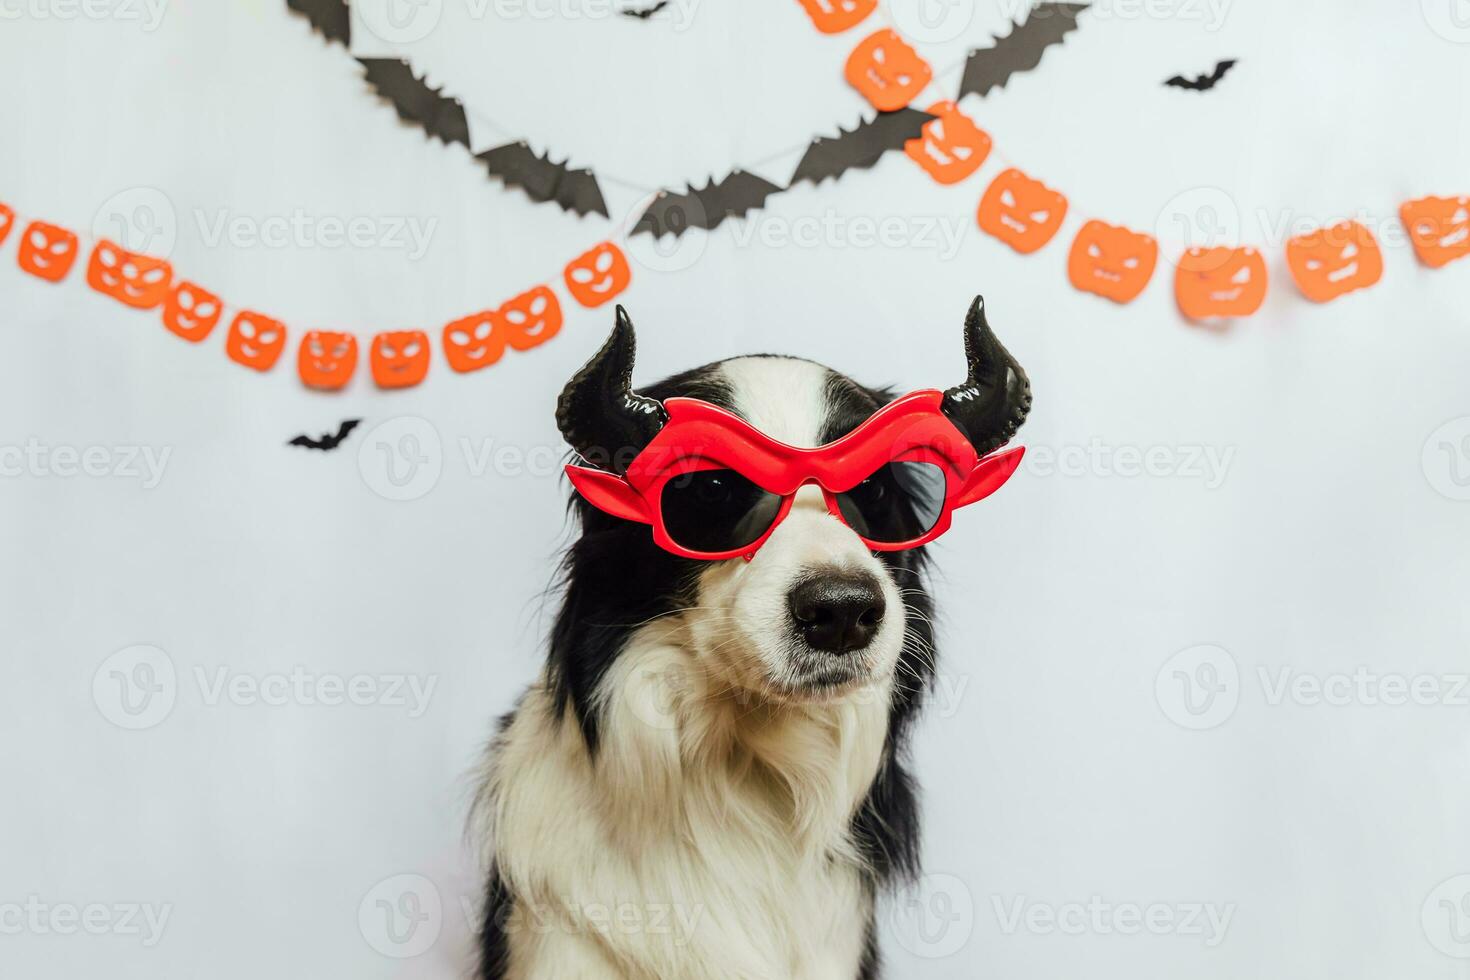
(996, 397)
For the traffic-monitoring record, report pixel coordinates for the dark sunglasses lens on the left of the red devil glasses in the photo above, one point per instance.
(717, 511)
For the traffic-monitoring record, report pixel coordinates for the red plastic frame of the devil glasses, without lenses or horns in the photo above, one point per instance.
(705, 437)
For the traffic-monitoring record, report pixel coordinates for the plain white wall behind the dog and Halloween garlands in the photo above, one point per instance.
(1058, 763)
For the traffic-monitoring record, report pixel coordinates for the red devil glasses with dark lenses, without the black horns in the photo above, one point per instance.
(714, 487)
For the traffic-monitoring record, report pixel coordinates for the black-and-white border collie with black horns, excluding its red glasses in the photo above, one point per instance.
(708, 779)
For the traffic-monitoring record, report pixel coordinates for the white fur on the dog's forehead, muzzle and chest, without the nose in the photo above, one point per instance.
(715, 793)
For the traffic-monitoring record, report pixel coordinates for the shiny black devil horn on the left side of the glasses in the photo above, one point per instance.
(600, 414)
